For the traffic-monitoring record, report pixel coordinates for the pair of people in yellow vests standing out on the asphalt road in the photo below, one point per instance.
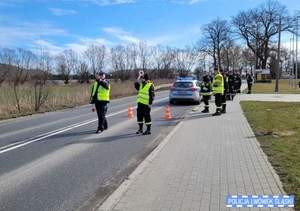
(100, 96)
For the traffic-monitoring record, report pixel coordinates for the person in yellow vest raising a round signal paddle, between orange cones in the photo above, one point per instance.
(144, 101)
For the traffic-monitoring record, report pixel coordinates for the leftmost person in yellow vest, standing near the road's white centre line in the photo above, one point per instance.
(100, 97)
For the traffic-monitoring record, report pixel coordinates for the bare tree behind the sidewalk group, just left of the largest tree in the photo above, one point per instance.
(215, 35)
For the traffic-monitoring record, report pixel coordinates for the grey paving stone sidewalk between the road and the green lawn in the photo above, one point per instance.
(204, 159)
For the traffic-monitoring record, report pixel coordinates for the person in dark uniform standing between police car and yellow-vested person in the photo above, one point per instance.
(206, 90)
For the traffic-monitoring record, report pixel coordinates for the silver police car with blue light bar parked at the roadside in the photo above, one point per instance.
(185, 89)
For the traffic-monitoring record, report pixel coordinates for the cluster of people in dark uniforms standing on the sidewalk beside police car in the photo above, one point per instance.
(223, 85)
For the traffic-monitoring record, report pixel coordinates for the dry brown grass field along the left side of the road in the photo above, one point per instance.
(61, 96)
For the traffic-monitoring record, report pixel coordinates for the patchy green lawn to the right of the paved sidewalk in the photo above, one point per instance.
(282, 146)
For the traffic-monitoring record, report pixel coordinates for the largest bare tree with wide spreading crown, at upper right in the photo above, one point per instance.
(258, 26)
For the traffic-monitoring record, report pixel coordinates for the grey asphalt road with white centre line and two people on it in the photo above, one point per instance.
(55, 161)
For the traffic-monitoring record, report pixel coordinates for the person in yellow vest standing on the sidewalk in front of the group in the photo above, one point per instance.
(218, 90)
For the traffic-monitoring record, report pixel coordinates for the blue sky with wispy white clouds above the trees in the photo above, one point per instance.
(57, 25)
